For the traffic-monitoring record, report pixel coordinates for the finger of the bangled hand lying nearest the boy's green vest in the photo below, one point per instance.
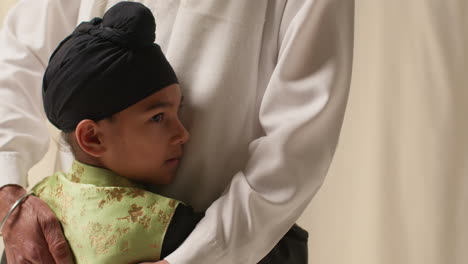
(58, 245)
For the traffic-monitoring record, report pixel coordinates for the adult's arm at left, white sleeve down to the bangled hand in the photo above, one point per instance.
(31, 30)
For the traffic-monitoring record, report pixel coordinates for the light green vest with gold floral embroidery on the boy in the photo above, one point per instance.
(106, 218)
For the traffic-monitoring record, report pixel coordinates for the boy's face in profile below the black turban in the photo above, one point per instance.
(144, 142)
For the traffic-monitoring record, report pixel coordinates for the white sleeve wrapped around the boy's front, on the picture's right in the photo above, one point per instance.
(301, 114)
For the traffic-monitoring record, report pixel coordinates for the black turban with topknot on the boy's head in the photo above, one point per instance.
(105, 66)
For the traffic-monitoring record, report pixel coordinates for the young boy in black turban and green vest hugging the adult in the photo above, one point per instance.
(115, 97)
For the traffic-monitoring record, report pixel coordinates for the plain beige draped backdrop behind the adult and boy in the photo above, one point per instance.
(397, 190)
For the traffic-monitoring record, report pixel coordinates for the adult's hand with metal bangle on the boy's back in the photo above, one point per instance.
(32, 233)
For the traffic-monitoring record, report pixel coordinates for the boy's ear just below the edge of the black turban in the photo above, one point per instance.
(89, 138)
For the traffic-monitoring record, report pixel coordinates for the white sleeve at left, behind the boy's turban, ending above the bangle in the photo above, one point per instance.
(31, 31)
